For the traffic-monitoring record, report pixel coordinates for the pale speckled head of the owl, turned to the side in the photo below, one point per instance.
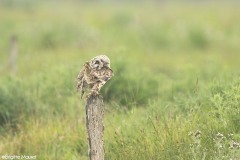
(100, 61)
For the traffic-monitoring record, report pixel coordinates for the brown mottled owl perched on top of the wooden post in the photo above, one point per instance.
(94, 74)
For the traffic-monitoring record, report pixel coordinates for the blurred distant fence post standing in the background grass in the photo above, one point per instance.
(13, 54)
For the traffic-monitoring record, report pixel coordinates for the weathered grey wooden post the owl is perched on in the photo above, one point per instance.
(94, 124)
